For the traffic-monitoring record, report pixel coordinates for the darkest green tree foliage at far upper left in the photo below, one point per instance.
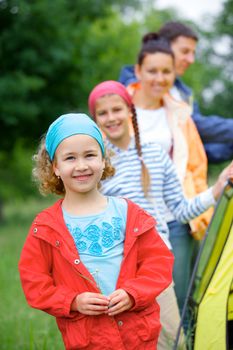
(35, 51)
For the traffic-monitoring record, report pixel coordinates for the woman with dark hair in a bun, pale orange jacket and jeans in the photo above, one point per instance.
(167, 121)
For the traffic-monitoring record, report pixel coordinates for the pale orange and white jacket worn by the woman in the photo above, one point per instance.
(188, 155)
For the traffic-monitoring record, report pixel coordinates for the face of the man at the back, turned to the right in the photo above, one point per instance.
(184, 50)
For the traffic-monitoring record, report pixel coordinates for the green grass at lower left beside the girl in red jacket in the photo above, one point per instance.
(21, 327)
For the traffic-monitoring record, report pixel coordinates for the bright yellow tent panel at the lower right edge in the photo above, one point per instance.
(211, 321)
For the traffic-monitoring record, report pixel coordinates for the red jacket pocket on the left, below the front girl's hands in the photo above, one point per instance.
(76, 331)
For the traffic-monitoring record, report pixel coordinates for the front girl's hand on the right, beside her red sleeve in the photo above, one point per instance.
(120, 301)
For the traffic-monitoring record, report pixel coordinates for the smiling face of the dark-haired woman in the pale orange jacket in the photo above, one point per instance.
(156, 74)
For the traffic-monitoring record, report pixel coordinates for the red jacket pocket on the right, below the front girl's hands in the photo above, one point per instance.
(148, 323)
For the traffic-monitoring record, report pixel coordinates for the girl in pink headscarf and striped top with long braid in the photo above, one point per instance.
(146, 175)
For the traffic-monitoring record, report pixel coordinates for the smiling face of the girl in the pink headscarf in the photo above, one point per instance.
(112, 116)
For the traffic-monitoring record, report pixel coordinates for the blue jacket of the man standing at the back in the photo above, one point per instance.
(216, 132)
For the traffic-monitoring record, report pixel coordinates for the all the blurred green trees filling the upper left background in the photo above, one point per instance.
(48, 52)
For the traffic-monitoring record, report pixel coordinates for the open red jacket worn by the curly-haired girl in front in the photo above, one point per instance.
(52, 275)
